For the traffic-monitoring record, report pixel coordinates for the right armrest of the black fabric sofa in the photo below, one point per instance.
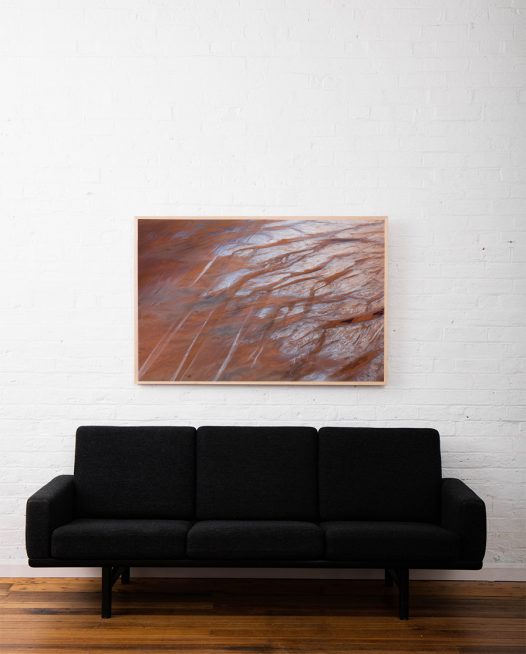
(465, 513)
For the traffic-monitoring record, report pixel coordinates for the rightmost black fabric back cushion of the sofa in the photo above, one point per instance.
(379, 474)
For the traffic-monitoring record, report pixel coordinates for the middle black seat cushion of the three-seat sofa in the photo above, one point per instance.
(255, 539)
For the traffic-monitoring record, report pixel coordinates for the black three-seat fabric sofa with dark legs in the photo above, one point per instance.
(256, 497)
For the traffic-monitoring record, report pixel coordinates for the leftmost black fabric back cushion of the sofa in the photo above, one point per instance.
(135, 472)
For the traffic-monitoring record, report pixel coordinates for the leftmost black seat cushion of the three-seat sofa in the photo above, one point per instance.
(101, 538)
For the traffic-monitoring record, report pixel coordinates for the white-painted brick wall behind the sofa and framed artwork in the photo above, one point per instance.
(410, 108)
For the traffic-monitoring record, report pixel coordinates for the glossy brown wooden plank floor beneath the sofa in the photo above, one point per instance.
(61, 616)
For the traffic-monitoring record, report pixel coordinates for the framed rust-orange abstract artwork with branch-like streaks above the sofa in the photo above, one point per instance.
(261, 300)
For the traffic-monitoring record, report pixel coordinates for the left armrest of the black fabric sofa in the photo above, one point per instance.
(48, 508)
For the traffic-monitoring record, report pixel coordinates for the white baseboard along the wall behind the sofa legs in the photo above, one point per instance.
(510, 573)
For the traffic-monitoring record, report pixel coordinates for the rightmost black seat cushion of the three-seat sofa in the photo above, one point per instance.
(389, 541)
